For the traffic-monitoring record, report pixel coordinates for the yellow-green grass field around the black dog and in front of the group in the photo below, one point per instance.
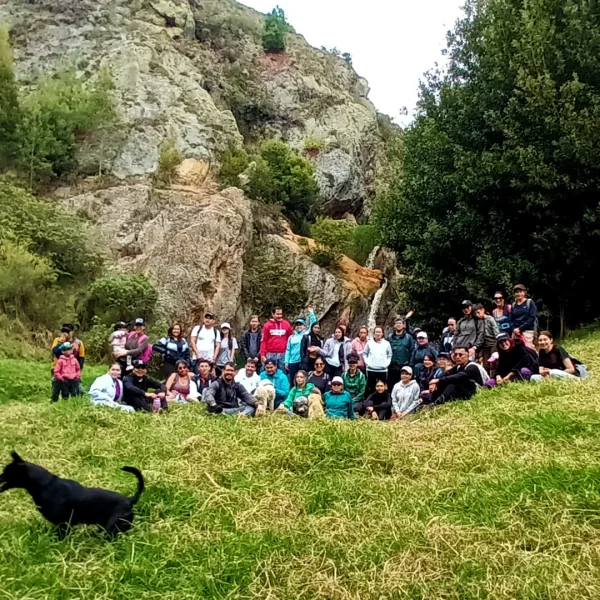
(495, 498)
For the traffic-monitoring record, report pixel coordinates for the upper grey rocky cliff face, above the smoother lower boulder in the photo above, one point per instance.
(195, 72)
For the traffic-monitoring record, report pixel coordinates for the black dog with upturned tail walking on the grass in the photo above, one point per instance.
(65, 503)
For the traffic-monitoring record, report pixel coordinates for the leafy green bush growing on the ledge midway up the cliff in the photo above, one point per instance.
(280, 176)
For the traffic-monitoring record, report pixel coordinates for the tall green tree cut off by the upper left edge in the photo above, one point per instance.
(10, 112)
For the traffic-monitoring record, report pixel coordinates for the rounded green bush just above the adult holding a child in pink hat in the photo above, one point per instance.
(118, 298)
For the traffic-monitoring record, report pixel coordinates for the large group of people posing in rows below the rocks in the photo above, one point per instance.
(292, 368)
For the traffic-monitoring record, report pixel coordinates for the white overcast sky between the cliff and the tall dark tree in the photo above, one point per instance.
(392, 42)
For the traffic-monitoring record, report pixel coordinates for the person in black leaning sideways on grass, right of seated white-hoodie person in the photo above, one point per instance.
(460, 382)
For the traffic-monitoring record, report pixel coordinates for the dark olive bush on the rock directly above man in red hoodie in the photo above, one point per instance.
(272, 280)
